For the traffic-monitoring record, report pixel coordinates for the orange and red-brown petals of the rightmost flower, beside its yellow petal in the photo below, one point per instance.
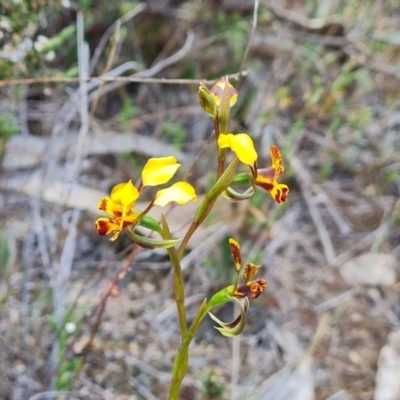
(267, 178)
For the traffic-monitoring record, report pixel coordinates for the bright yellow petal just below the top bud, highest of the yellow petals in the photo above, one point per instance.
(241, 144)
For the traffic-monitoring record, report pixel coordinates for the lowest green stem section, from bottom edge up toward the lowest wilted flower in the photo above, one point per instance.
(182, 355)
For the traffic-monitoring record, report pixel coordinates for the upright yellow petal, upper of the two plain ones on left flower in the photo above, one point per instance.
(158, 171)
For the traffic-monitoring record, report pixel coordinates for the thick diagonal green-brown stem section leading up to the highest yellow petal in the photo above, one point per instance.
(208, 203)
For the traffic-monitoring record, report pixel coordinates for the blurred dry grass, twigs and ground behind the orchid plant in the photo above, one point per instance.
(321, 81)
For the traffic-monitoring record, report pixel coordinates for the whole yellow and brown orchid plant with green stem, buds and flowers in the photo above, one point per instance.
(123, 216)
